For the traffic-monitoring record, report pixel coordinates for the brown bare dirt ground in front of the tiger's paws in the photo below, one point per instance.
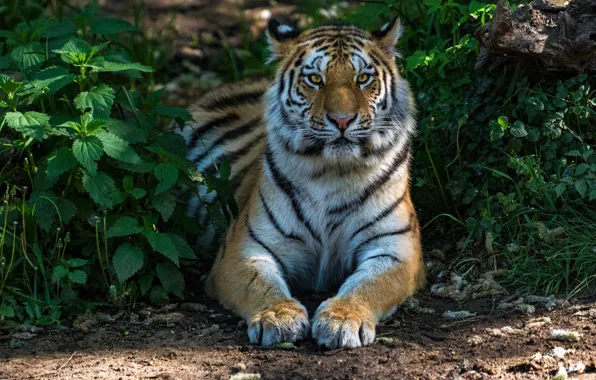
(205, 341)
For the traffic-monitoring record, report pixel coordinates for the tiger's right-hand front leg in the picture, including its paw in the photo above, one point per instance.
(389, 269)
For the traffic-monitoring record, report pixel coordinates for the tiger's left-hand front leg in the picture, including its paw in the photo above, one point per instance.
(248, 278)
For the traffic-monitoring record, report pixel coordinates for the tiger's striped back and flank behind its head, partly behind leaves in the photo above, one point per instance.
(228, 121)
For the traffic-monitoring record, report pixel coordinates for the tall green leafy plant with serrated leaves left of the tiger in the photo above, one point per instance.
(91, 174)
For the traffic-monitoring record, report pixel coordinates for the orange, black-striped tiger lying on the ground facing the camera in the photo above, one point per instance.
(320, 158)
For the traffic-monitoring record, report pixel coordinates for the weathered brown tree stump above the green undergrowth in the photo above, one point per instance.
(559, 34)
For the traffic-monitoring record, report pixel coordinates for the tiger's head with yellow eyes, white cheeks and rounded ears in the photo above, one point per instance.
(338, 93)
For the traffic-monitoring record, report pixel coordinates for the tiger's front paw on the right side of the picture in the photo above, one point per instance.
(338, 324)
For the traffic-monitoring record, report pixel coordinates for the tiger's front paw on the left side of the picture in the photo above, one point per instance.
(286, 321)
